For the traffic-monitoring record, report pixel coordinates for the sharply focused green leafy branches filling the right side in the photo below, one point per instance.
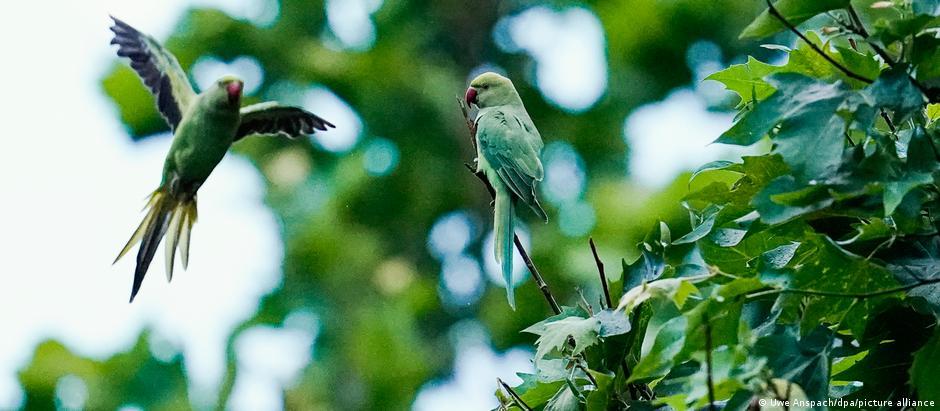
(812, 274)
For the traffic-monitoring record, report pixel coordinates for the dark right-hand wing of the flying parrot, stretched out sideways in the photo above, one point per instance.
(273, 119)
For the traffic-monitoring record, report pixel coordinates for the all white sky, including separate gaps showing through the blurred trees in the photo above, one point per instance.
(74, 183)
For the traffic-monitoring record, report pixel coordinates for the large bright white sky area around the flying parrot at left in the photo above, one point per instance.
(74, 184)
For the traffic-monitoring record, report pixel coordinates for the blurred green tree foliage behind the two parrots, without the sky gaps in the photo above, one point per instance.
(378, 344)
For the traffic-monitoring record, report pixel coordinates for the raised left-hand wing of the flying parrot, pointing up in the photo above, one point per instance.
(157, 68)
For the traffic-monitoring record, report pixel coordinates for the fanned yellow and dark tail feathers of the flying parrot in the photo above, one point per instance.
(166, 215)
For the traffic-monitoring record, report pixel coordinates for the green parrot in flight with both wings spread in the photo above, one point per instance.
(204, 126)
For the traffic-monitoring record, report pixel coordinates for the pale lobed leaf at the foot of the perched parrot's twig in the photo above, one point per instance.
(554, 334)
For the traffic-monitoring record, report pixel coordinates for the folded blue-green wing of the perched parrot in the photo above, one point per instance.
(511, 146)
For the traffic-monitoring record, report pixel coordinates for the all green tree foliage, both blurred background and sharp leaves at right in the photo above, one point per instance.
(805, 270)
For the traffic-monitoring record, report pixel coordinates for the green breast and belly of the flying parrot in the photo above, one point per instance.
(201, 140)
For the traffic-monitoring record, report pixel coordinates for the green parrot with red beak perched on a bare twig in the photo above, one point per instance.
(508, 150)
